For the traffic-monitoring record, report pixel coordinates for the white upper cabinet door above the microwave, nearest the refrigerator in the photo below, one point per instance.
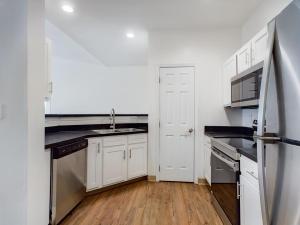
(259, 46)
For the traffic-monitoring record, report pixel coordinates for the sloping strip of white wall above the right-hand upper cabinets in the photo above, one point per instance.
(263, 14)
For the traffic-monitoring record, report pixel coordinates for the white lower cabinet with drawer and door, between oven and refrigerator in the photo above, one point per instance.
(249, 194)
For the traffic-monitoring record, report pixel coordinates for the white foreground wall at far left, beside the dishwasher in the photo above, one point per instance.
(24, 184)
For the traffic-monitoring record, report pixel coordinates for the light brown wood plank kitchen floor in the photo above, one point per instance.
(147, 203)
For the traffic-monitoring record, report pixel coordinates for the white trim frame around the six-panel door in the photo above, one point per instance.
(157, 128)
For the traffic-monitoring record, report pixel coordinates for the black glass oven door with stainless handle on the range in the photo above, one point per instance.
(224, 184)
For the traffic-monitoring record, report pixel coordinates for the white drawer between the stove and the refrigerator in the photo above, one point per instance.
(249, 170)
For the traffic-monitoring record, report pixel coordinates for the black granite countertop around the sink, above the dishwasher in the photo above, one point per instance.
(64, 137)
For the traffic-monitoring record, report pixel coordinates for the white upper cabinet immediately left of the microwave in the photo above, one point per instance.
(229, 71)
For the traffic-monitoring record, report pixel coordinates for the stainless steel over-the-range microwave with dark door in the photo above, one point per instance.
(245, 87)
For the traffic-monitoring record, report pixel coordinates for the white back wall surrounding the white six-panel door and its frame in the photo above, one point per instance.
(206, 51)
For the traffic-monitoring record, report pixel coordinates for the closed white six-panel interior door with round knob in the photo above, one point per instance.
(177, 109)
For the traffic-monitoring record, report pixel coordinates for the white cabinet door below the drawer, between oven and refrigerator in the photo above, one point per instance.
(250, 203)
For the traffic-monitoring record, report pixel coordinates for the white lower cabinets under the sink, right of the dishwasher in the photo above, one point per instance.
(116, 159)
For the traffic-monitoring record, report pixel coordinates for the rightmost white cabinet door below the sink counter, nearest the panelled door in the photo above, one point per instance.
(137, 160)
